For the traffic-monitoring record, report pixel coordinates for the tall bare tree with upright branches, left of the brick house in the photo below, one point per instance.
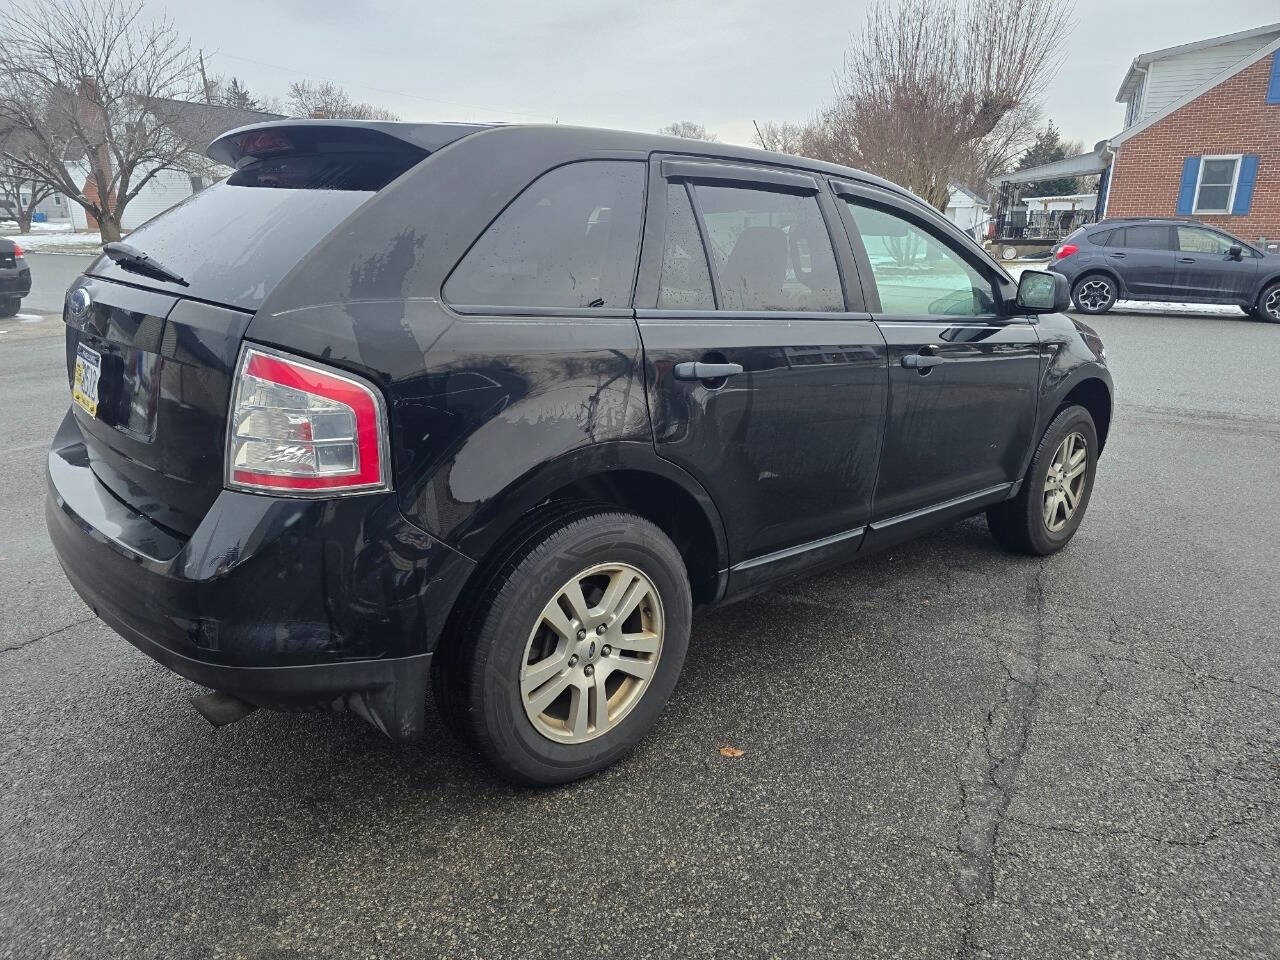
(934, 88)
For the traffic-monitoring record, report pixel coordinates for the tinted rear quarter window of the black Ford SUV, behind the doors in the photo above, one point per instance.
(569, 241)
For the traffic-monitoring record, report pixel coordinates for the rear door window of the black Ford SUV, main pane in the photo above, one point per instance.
(771, 250)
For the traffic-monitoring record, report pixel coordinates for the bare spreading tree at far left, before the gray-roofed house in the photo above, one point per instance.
(89, 84)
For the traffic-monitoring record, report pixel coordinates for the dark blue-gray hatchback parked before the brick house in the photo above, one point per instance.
(1181, 262)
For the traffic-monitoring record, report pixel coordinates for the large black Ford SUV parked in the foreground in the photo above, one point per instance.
(496, 409)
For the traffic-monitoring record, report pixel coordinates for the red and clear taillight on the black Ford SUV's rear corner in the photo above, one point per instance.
(304, 429)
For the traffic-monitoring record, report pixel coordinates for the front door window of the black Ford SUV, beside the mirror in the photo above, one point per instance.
(916, 273)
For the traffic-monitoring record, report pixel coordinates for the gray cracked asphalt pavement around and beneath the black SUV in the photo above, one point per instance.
(949, 752)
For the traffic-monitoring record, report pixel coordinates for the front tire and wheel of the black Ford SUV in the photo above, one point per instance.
(1048, 511)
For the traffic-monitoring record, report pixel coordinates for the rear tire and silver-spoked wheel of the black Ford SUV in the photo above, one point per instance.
(529, 664)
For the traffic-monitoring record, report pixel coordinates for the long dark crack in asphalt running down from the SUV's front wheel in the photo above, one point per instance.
(989, 769)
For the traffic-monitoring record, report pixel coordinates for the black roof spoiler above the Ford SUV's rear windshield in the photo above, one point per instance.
(276, 138)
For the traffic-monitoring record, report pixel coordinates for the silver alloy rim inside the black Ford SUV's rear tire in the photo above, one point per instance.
(592, 655)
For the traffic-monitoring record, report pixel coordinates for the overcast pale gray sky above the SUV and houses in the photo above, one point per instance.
(639, 66)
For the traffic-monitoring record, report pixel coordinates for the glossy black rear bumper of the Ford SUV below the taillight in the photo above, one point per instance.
(282, 602)
